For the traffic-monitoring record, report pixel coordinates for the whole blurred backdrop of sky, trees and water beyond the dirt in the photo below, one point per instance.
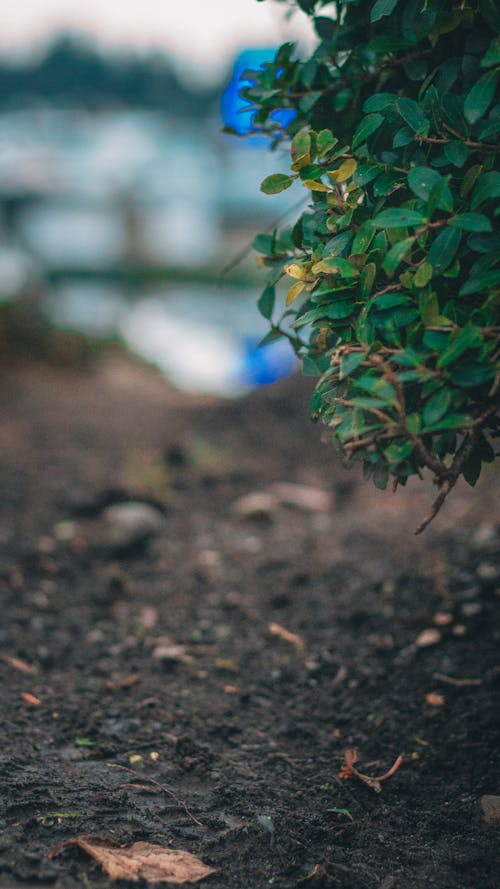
(121, 199)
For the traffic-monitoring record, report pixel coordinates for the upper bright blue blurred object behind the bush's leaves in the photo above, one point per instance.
(233, 106)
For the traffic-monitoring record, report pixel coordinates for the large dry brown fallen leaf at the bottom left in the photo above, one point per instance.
(140, 861)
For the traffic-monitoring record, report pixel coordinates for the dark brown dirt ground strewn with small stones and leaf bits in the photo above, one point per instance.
(153, 700)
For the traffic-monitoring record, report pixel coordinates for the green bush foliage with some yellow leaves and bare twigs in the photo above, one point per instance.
(393, 268)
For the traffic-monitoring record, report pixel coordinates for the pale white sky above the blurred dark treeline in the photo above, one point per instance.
(200, 32)
